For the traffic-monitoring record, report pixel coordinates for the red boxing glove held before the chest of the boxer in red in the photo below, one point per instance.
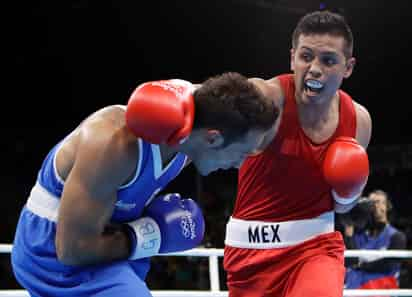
(346, 169)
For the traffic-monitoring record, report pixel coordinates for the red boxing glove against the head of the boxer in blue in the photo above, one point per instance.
(161, 111)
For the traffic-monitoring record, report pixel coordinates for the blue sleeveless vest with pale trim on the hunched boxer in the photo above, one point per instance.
(150, 178)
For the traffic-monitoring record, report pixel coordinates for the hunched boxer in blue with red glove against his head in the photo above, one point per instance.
(94, 217)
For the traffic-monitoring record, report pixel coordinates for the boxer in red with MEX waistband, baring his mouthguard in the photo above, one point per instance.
(280, 240)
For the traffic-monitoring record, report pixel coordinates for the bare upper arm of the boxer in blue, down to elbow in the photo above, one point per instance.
(90, 190)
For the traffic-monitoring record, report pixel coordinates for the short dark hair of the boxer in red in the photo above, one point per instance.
(324, 22)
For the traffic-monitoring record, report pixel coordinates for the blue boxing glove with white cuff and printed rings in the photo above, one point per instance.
(170, 224)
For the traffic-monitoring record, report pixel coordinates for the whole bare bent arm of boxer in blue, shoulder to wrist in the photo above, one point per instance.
(102, 164)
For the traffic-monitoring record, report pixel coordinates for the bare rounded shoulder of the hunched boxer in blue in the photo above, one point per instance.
(100, 153)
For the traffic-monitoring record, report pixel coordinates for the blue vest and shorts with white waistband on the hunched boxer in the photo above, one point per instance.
(34, 257)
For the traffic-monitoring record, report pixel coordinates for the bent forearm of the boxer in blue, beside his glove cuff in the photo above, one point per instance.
(113, 244)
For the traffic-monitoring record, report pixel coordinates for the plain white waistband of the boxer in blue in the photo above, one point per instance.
(43, 203)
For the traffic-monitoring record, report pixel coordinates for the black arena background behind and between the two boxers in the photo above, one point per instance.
(65, 59)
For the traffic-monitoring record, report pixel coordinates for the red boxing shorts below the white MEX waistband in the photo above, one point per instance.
(314, 268)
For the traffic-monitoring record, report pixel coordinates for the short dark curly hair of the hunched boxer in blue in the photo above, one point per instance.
(232, 104)
